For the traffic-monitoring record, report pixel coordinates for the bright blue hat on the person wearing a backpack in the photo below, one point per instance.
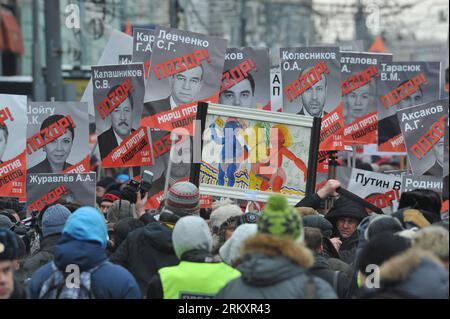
(87, 224)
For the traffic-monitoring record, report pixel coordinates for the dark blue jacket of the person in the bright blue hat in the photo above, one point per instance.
(109, 281)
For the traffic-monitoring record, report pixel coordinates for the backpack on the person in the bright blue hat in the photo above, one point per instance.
(55, 286)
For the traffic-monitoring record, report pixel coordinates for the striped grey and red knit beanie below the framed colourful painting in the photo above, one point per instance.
(183, 199)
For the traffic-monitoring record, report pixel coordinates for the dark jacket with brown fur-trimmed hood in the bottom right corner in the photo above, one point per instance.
(415, 274)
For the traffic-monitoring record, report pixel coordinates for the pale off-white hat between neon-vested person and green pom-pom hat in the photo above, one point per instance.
(230, 252)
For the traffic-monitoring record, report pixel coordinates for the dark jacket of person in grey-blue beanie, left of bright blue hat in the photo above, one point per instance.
(43, 256)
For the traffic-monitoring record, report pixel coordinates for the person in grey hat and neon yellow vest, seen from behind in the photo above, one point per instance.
(197, 275)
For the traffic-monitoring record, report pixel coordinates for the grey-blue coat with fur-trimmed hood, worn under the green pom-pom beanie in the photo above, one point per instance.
(274, 268)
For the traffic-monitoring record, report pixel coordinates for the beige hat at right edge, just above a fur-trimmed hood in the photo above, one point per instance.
(434, 239)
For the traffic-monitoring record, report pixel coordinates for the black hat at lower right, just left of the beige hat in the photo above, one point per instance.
(382, 247)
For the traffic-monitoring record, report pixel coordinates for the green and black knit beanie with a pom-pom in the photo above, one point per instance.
(279, 219)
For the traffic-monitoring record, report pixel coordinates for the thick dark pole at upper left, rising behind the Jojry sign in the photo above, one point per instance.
(53, 50)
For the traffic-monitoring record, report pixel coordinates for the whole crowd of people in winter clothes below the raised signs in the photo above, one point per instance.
(183, 251)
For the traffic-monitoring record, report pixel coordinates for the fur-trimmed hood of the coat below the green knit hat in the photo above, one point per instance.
(267, 260)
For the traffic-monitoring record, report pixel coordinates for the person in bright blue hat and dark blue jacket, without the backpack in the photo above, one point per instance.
(83, 244)
